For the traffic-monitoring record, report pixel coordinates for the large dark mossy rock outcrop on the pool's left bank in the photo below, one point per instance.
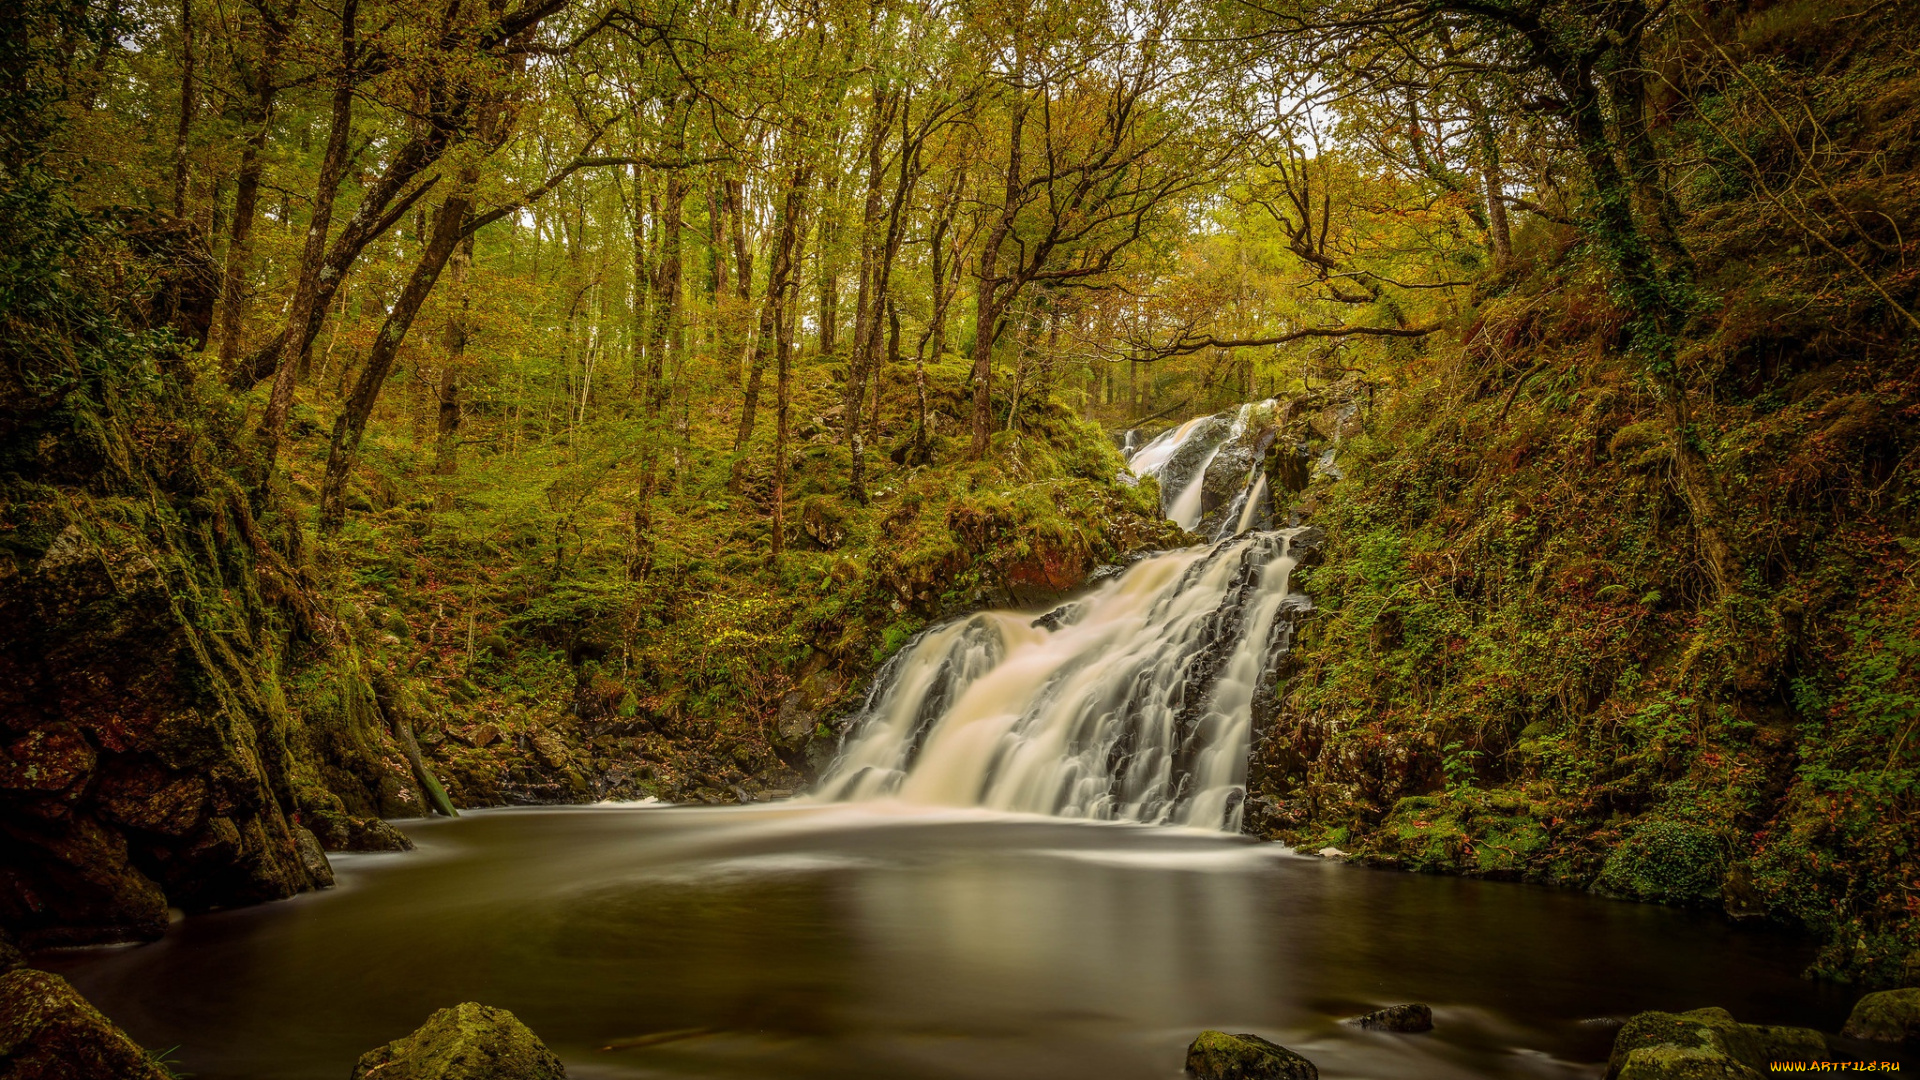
(145, 758)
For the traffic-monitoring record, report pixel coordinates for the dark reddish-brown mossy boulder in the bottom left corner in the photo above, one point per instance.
(51, 1033)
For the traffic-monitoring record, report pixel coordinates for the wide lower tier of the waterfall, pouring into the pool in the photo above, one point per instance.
(1128, 704)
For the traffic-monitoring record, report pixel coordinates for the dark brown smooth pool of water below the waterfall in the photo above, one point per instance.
(876, 941)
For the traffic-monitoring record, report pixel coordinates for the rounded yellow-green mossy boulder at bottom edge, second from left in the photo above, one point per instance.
(466, 1043)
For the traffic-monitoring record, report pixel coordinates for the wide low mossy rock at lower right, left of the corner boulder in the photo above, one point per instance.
(1706, 1044)
